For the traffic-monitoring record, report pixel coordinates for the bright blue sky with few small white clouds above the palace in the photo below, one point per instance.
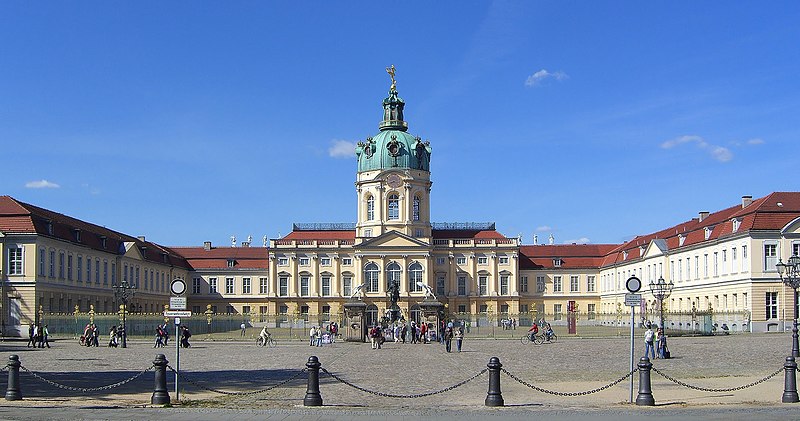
(594, 121)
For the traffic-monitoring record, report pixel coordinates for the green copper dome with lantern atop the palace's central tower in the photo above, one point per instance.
(393, 147)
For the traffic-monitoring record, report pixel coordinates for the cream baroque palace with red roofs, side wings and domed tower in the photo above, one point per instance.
(722, 264)
